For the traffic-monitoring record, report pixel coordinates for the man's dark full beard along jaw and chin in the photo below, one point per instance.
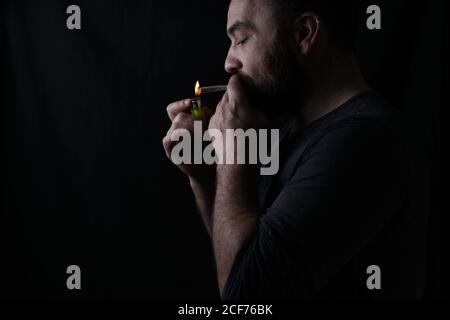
(276, 91)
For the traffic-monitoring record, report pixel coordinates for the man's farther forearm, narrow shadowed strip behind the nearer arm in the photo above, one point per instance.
(204, 193)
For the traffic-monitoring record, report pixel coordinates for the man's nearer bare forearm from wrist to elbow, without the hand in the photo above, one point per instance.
(235, 215)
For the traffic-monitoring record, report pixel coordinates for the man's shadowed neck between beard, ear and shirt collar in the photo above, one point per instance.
(335, 81)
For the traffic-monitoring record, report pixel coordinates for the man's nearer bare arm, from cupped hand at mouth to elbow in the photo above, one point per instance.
(235, 209)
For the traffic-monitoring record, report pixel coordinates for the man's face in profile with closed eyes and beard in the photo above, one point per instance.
(259, 53)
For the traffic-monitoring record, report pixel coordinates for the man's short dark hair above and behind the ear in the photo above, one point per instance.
(339, 17)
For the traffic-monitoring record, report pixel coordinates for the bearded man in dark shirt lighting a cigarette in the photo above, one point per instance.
(344, 203)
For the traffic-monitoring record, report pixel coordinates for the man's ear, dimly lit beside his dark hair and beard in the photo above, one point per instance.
(306, 30)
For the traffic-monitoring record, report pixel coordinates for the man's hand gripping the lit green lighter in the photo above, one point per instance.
(181, 119)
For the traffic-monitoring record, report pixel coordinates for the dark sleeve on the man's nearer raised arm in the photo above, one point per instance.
(347, 186)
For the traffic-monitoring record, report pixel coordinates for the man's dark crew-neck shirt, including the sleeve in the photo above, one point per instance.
(345, 198)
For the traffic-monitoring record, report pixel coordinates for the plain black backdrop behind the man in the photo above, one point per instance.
(85, 179)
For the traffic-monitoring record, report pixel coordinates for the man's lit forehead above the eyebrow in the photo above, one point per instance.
(255, 12)
